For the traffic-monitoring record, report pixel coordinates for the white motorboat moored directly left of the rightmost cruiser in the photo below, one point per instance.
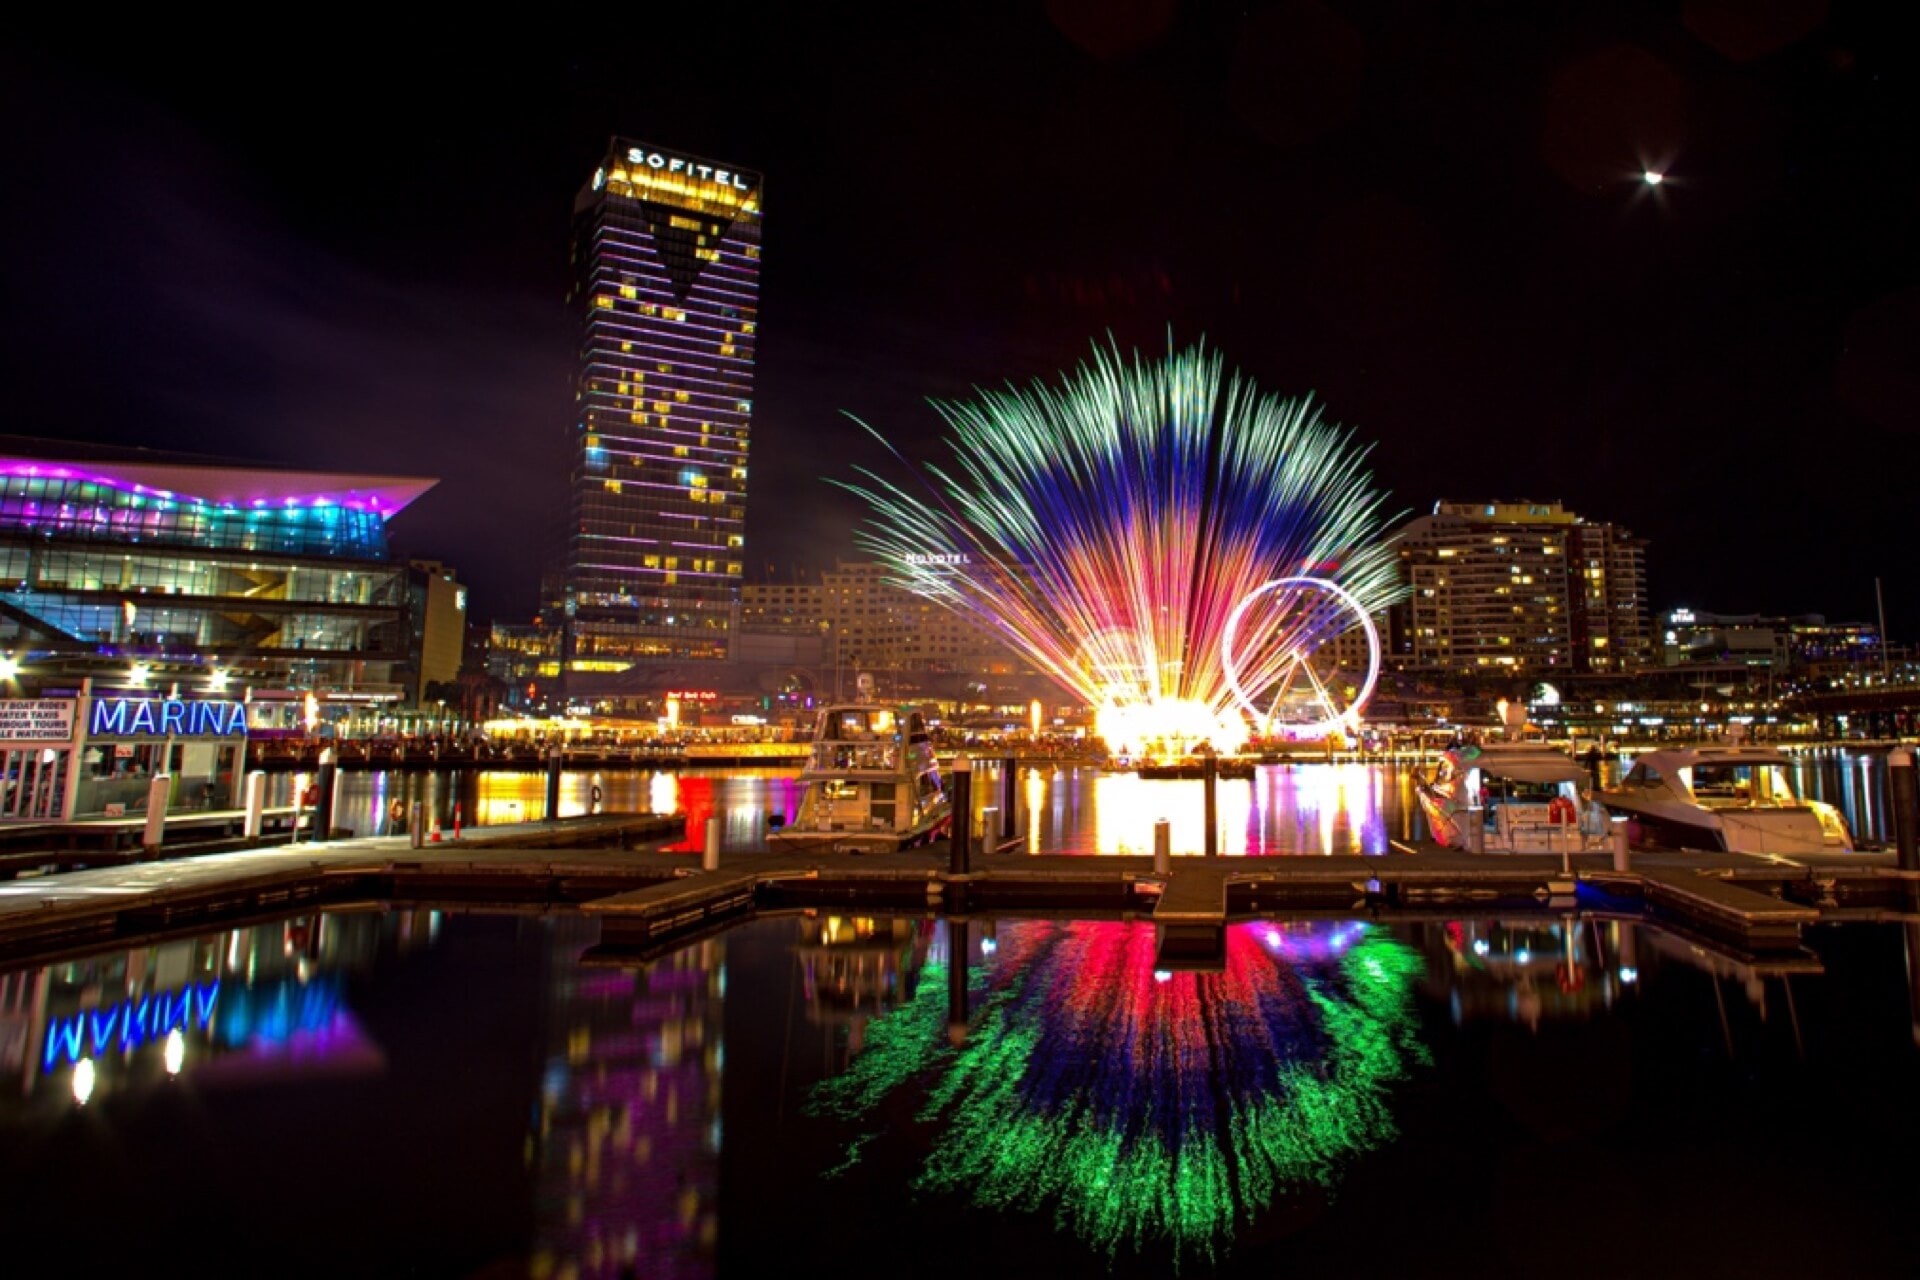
(1510, 799)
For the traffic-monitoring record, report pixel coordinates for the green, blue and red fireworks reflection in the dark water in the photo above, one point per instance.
(1147, 1110)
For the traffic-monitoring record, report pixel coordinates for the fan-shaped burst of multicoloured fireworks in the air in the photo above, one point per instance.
(1161, 538)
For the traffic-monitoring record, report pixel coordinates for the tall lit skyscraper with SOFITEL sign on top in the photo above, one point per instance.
(667, 279)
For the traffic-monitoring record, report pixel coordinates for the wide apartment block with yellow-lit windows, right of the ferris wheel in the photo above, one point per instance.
(1522, 588)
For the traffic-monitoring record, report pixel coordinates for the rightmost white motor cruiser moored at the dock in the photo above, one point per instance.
(1733, 797)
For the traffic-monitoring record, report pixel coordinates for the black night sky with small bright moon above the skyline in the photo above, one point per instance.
(347, 249)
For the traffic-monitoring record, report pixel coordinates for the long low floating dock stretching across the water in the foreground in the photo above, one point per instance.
(654, 901)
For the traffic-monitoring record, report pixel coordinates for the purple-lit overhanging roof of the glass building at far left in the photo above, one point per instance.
(229, 486)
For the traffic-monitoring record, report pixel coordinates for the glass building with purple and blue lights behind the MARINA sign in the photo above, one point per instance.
(279, 577)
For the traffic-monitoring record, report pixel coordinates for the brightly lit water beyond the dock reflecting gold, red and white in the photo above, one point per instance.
(1303, 809)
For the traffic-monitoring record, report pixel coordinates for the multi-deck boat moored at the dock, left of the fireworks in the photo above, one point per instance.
(873, 782)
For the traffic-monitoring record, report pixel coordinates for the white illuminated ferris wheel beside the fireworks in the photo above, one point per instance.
(1285, 667)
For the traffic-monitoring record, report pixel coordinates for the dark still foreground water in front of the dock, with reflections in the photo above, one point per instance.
(496, 1095)
